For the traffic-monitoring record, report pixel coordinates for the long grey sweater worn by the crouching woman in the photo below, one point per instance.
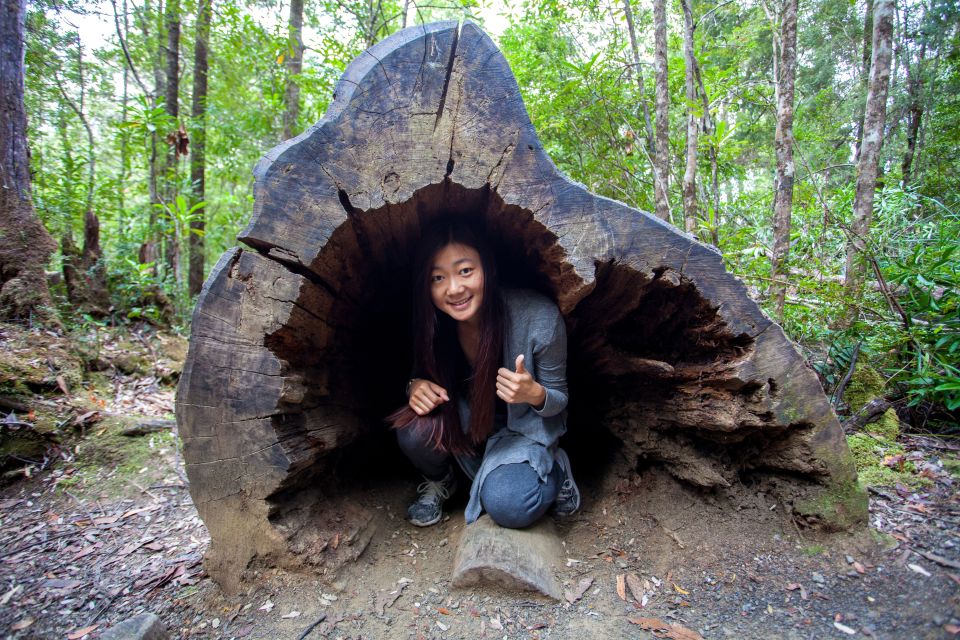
(535, 328)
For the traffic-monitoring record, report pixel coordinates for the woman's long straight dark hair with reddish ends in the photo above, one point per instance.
(437, 348)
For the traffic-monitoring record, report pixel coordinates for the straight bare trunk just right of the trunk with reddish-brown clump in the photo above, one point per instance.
(198, 147)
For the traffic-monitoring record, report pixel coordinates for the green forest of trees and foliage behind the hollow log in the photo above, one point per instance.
(767, 128)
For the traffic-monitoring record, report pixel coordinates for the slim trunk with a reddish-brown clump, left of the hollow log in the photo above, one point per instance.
(172, 107)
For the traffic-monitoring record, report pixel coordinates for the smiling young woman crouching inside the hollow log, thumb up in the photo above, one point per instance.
(490, 389)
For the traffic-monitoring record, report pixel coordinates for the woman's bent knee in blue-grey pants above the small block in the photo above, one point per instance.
(515, 497)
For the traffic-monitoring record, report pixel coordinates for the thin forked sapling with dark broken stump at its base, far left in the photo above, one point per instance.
(84, 273)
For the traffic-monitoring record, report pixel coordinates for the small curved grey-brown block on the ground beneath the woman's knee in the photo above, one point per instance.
(516, 559)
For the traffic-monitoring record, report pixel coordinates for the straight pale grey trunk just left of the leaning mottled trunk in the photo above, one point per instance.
(783, 145)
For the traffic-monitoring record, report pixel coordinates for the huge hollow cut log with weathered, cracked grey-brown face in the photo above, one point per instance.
(300, 344)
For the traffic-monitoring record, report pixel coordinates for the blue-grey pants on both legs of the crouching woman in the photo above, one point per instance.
(512, 494)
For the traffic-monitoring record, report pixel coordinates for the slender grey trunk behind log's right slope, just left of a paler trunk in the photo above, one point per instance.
(661, 157)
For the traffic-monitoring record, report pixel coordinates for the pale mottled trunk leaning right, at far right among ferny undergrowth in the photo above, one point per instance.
(876, 112)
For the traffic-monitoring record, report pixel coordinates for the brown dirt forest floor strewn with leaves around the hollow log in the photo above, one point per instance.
(98, 526)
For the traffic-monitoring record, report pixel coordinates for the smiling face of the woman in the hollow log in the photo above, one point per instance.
(456, 282)
